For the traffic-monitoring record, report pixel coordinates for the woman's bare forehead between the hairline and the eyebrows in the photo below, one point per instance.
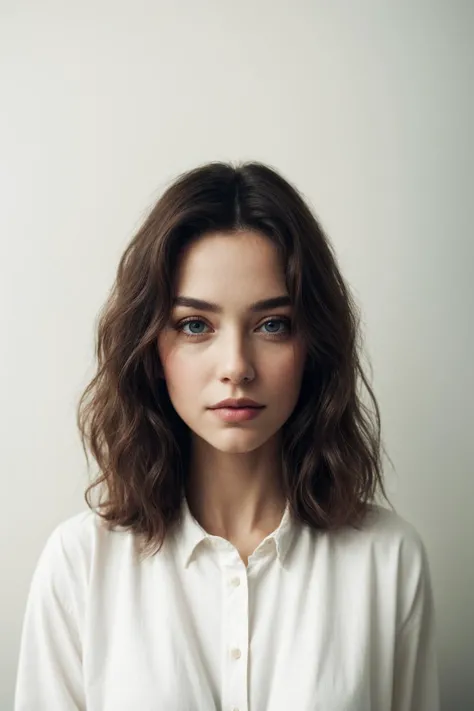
(219, 262)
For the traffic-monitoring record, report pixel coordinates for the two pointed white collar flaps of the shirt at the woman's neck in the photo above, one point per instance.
(189, 535)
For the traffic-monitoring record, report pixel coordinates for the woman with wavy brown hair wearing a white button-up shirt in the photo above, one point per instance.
(236, 559)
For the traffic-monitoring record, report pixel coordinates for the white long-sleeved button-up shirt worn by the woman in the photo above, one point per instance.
(318, 621)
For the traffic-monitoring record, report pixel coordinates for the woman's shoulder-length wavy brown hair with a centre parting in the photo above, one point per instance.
(331, 444)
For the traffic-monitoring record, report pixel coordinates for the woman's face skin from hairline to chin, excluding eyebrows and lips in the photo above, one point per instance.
(207, 358)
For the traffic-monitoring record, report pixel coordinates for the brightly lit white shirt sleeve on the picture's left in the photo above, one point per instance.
(49, 675)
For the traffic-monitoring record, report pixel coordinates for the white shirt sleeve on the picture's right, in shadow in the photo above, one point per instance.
(416, 680)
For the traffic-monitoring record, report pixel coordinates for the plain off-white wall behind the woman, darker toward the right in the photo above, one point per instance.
(366, 106)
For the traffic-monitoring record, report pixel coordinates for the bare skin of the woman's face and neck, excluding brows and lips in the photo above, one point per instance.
(234, 487)
